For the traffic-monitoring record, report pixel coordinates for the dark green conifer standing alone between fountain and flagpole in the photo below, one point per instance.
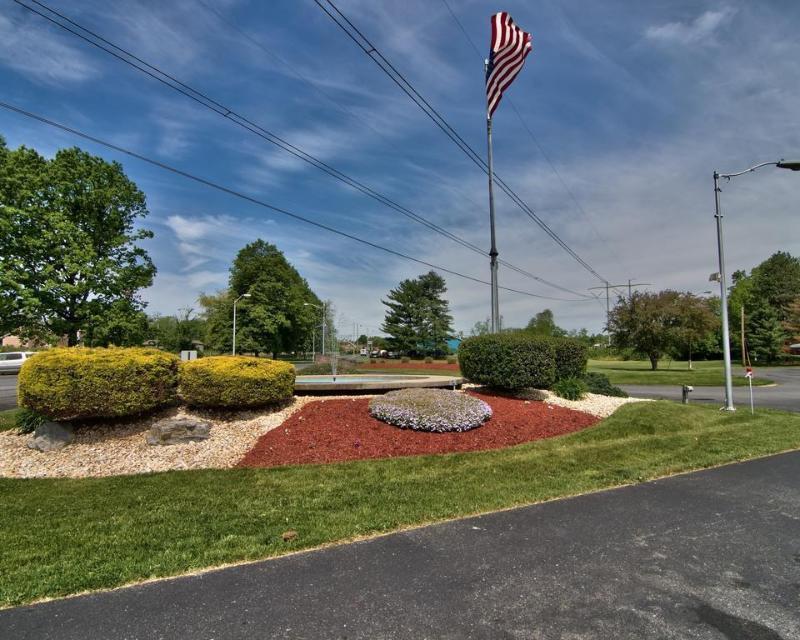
(418, 316)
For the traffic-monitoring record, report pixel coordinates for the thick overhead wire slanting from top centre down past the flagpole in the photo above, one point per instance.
(376, 56)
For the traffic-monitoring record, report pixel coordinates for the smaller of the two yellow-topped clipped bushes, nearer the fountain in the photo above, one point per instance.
(235, 381)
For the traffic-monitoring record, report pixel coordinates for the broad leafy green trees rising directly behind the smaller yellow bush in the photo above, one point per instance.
(275, 318)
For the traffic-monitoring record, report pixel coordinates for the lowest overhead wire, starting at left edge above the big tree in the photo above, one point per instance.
(256, 201)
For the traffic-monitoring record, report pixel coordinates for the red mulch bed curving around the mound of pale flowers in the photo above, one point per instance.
(336, 430)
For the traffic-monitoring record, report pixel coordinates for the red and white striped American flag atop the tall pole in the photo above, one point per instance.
(510, 45)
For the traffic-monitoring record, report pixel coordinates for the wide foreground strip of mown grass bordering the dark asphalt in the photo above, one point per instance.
(59, 537)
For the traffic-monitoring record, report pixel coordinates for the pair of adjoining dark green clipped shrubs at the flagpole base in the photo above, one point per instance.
(519, 360)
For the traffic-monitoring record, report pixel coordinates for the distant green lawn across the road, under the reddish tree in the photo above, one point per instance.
(703, 374)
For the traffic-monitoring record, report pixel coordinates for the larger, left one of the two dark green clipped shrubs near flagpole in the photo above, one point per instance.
(508, 360)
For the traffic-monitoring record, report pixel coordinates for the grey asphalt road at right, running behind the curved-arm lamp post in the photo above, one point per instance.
(784, 395)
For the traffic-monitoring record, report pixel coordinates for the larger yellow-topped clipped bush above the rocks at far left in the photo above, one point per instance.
(76, 383)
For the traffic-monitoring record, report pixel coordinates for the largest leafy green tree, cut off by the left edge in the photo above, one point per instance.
(68, 242)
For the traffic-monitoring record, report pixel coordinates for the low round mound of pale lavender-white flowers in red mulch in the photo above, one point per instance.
(435, 410)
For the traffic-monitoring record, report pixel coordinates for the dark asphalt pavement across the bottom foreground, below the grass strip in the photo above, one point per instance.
(712, 555)
